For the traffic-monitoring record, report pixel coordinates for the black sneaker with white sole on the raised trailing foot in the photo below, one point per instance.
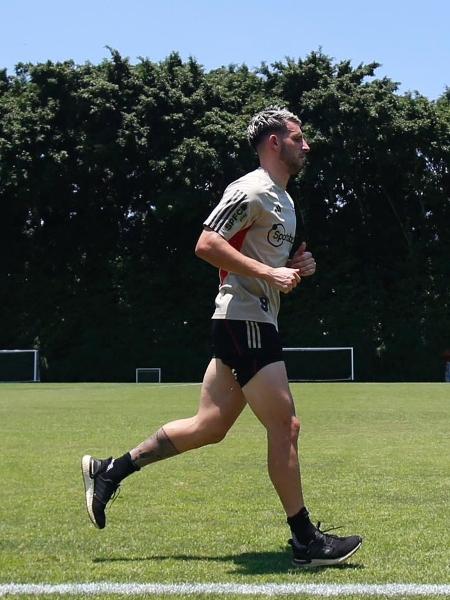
(99, 489)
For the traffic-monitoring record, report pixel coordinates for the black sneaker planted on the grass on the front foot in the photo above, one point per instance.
(324, 549)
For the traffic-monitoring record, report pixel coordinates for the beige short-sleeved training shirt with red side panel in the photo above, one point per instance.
(257, 217)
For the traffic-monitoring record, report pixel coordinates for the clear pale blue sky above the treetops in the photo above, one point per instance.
(411, 39)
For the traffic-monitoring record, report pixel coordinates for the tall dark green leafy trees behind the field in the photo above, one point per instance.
(107, 172)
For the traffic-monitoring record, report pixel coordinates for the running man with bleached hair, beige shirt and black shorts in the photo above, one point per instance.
(249, 238)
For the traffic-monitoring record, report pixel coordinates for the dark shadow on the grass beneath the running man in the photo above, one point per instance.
(247, 563)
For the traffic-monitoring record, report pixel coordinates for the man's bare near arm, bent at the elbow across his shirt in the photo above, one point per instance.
(213, 248)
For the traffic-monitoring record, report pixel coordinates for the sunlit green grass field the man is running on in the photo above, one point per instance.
(375, 459)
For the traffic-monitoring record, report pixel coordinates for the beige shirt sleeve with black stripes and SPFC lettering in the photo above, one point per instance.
(236, 211)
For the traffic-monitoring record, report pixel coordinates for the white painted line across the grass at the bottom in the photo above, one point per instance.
(194, 589)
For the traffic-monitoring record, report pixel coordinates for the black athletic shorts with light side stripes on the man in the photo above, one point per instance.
(245, 346)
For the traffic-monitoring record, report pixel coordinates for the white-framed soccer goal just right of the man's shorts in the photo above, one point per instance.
(320, 364)
